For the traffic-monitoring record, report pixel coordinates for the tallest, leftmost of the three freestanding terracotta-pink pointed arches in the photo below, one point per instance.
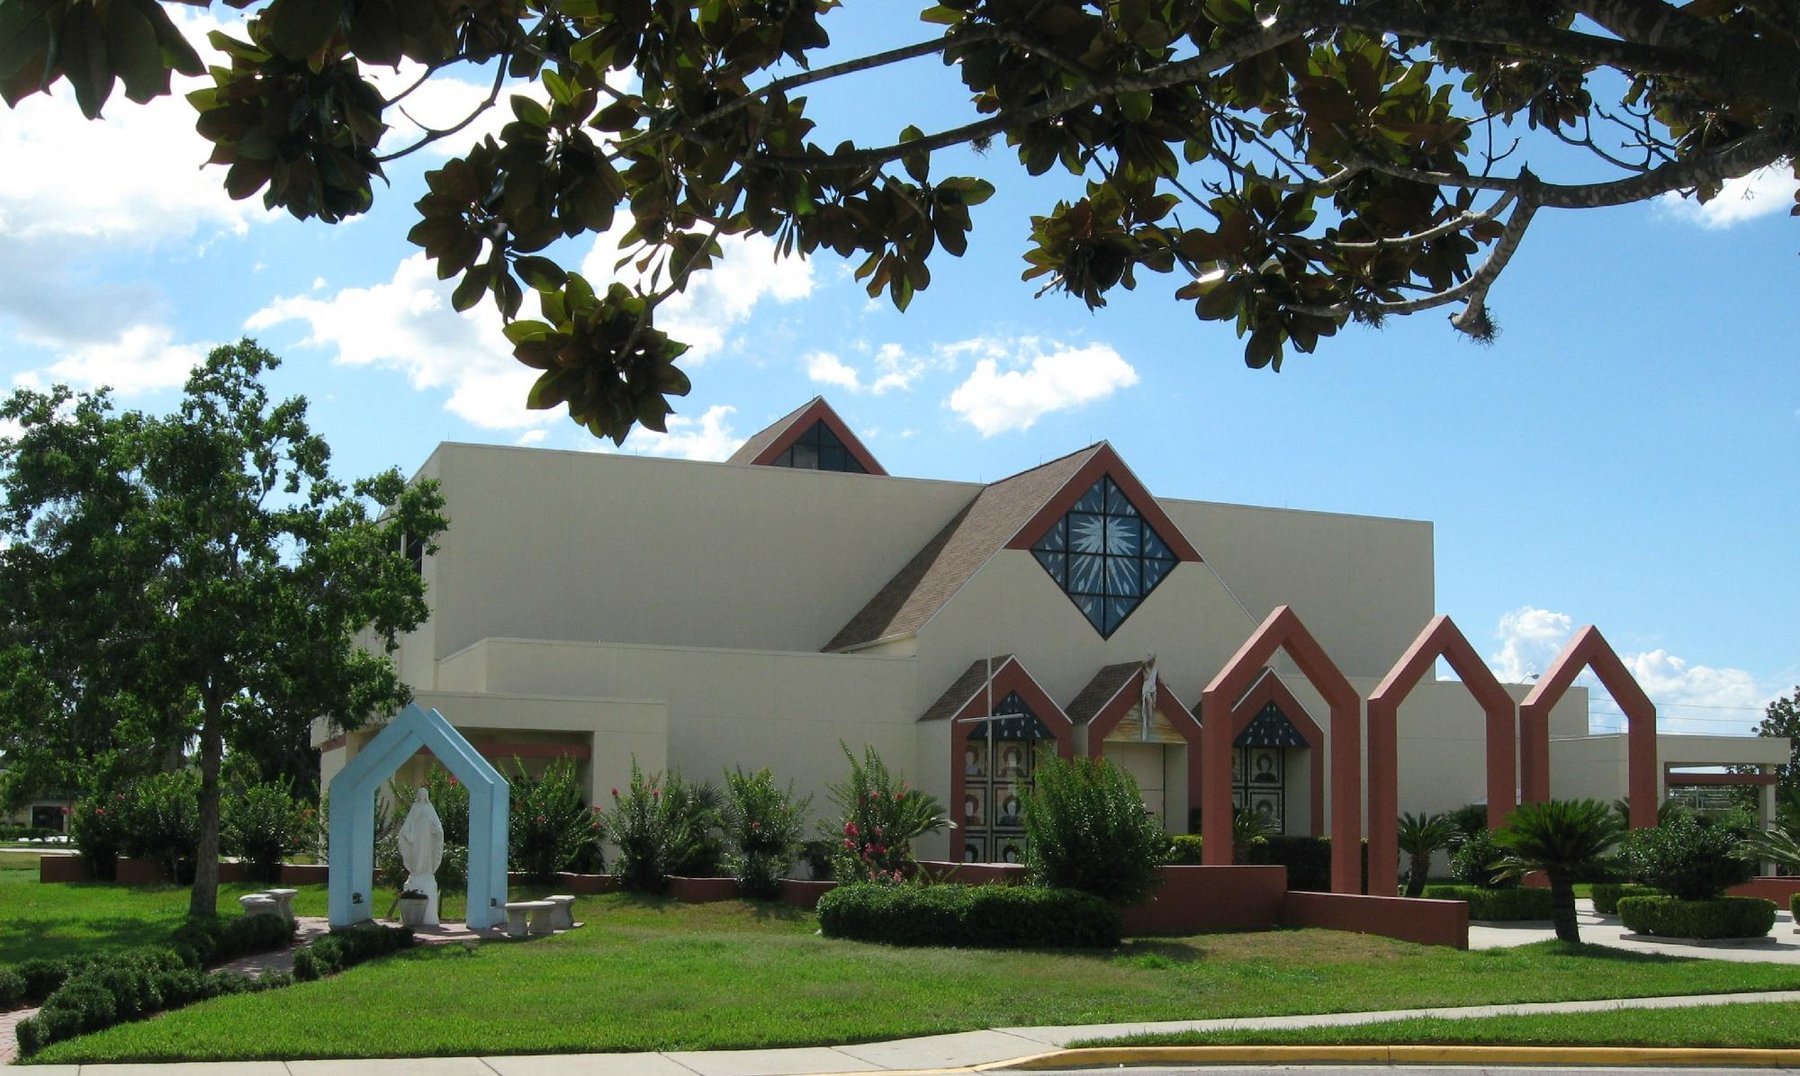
(1284, 632)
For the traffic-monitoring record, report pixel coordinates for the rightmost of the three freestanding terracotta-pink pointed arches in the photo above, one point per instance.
(1588, 650)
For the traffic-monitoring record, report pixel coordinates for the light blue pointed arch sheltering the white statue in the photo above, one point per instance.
(352, 847)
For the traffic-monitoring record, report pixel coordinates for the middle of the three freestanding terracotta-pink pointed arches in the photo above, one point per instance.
(1444, 640)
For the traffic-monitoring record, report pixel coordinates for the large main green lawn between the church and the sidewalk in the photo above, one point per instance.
(647, 974)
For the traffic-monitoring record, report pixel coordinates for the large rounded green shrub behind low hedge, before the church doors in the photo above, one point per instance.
(1086, 830)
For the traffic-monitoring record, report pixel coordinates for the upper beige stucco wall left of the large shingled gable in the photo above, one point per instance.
(629, 550)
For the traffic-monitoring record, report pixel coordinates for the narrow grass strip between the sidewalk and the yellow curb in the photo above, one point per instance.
(1754, 1027)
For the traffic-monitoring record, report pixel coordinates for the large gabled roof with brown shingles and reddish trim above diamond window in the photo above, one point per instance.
(1011, 514)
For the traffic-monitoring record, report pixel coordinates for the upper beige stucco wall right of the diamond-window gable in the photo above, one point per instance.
(1363, 586)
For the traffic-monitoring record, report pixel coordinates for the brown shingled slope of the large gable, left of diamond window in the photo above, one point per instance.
(957, 553)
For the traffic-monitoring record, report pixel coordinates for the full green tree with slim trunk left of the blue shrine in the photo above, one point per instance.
(181, 578)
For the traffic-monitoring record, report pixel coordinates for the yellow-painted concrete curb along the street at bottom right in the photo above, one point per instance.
(1399, 1055)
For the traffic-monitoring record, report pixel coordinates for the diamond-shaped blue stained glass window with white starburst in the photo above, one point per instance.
(1104, 557)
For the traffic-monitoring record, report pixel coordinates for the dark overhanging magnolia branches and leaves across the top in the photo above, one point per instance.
(1290, 165)
